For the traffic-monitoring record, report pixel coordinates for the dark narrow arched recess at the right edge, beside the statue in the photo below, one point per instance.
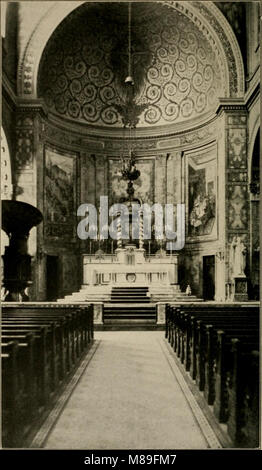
(254, 217)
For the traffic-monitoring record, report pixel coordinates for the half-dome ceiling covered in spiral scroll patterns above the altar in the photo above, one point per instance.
(82, 71)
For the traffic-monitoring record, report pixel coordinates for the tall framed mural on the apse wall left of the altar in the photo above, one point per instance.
(60, 197)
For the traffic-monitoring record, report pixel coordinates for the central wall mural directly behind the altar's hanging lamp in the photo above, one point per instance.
(143, 186)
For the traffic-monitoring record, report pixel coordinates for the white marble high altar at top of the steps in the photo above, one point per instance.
(130, 267)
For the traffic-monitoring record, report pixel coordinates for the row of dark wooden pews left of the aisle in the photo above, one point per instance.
(42, 345)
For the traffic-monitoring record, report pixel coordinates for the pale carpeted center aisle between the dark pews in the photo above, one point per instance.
(128, 398)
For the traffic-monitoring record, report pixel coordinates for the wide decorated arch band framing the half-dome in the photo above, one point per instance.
(205, 15)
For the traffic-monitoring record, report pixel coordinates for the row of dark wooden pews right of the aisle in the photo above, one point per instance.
(219, 347)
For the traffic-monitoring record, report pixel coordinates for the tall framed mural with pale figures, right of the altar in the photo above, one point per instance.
(201, 194)
